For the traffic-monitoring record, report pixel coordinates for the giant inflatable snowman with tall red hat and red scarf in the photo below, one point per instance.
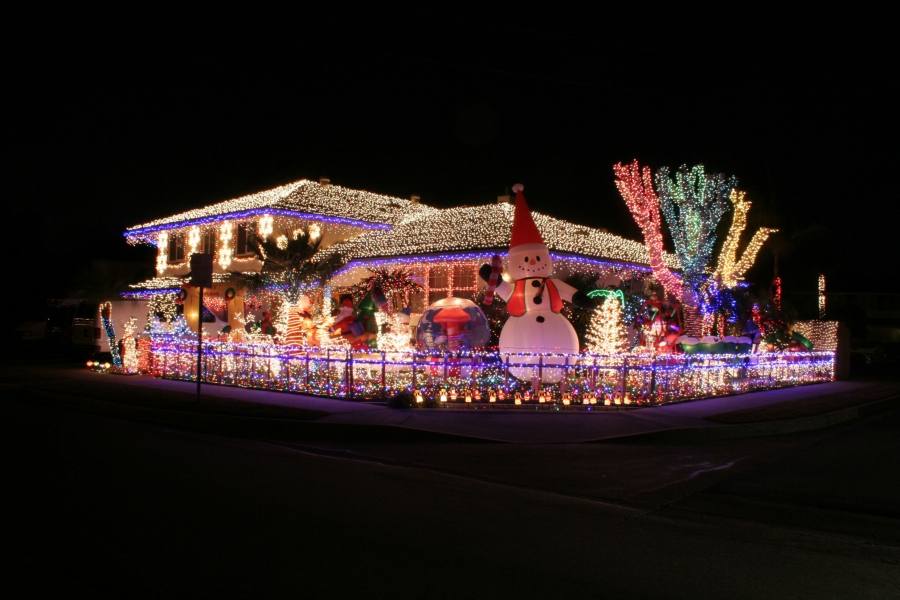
(534, 300)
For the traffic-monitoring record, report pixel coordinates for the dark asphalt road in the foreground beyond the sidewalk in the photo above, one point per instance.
(113, 505)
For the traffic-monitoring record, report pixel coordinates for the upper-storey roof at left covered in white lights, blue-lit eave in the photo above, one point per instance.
(302, 199)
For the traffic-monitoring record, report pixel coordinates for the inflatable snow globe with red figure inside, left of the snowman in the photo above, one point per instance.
(452, 324)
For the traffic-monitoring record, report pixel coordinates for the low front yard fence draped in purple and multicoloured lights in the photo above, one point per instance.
(486, 377)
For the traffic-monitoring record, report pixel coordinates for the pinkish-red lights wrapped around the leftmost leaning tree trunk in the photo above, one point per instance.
(635, 184)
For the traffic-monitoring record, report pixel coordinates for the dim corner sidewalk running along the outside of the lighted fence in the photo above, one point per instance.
(757, 413)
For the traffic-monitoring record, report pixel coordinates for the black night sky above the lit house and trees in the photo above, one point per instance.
(104, 135)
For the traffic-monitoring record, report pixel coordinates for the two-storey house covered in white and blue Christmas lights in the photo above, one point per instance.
(441, 248)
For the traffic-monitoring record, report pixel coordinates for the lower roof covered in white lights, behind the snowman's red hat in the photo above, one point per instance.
(487, 227)
